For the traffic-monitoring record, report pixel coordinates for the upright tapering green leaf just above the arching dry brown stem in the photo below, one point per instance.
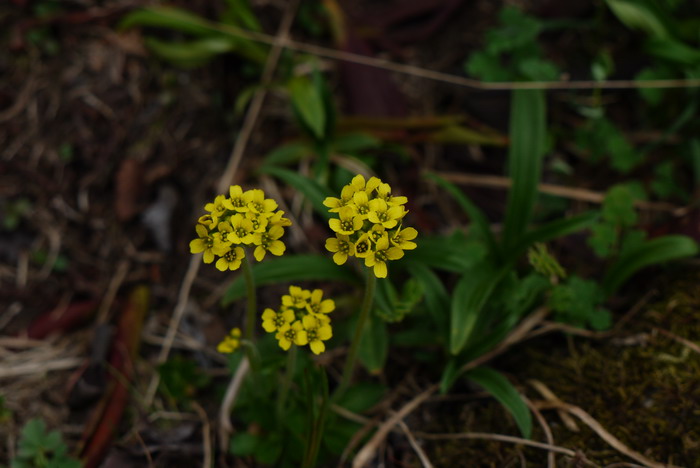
(468, 299)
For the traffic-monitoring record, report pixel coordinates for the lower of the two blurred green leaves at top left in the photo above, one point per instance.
(192, 53)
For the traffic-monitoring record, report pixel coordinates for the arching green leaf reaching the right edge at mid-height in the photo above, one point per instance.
(659, 250)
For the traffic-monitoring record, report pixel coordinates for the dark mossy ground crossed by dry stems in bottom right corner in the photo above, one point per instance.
(642, 386)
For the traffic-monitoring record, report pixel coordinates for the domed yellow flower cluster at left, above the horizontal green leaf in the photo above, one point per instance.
(244, 218)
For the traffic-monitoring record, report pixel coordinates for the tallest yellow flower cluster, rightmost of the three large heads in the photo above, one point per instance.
(369, 224)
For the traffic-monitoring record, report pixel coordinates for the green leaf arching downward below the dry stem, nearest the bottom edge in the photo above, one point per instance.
(501, 389)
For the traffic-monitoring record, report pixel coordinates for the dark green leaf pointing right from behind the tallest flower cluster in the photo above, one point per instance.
(455, 253)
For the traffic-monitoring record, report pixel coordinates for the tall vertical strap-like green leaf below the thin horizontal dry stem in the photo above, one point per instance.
(528, 135)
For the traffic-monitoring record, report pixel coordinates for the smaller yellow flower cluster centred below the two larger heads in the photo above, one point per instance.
(302, 319)
